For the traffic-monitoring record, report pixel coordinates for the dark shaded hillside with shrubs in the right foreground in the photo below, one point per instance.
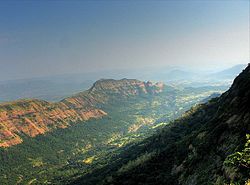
(207, 145)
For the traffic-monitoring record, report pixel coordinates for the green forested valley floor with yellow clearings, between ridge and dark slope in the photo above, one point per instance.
(63, 155)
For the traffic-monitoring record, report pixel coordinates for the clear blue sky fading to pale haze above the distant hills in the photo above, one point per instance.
(60, 37)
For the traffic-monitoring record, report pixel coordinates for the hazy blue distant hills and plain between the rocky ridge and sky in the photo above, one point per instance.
(57, 87)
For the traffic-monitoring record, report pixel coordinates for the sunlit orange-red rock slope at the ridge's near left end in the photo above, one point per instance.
(34, 117)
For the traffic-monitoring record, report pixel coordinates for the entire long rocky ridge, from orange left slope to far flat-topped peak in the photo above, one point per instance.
(34, 117)
